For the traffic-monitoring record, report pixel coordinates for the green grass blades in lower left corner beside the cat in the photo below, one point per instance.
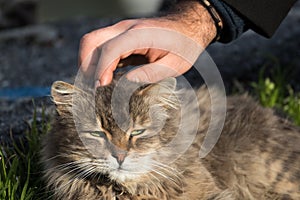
(20, 170)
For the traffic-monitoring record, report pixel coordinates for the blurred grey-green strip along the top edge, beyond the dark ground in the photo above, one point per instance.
(23, 12)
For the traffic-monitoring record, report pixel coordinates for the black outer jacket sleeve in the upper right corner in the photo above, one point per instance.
(263, 16)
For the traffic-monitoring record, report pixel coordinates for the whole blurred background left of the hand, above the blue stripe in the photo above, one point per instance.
(32, 32)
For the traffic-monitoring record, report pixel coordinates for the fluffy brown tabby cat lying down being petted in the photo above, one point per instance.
(92, 155)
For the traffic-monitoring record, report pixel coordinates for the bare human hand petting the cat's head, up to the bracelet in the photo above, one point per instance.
(103, 50)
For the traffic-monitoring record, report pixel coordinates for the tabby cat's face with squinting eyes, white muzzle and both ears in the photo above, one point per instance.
(122, 137)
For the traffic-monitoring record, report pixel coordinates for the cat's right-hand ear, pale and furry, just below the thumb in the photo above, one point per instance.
(163, 91)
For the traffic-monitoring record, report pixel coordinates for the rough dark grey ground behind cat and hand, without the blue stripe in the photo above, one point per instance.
(43, 53)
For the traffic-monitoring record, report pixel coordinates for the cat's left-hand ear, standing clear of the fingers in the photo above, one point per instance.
(61, 93)
